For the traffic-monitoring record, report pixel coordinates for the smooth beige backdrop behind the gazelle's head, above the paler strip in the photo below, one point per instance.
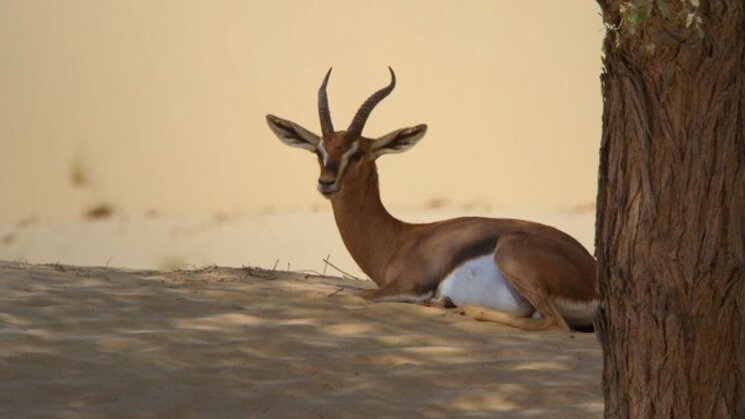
(160, 104)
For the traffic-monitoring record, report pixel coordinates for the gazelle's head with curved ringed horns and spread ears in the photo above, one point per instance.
(347, 159)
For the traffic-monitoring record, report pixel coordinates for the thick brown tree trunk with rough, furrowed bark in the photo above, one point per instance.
(670, 238)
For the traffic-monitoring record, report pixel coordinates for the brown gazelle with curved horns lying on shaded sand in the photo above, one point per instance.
(520, 273)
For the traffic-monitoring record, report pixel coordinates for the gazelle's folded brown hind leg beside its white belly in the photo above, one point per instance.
(520, 258)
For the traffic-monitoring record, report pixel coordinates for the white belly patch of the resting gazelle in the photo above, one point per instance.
(479, 282)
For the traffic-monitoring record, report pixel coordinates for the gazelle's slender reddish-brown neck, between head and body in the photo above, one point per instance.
(369, 232)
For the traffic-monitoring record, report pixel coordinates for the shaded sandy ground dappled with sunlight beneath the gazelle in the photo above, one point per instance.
(222, 342)
